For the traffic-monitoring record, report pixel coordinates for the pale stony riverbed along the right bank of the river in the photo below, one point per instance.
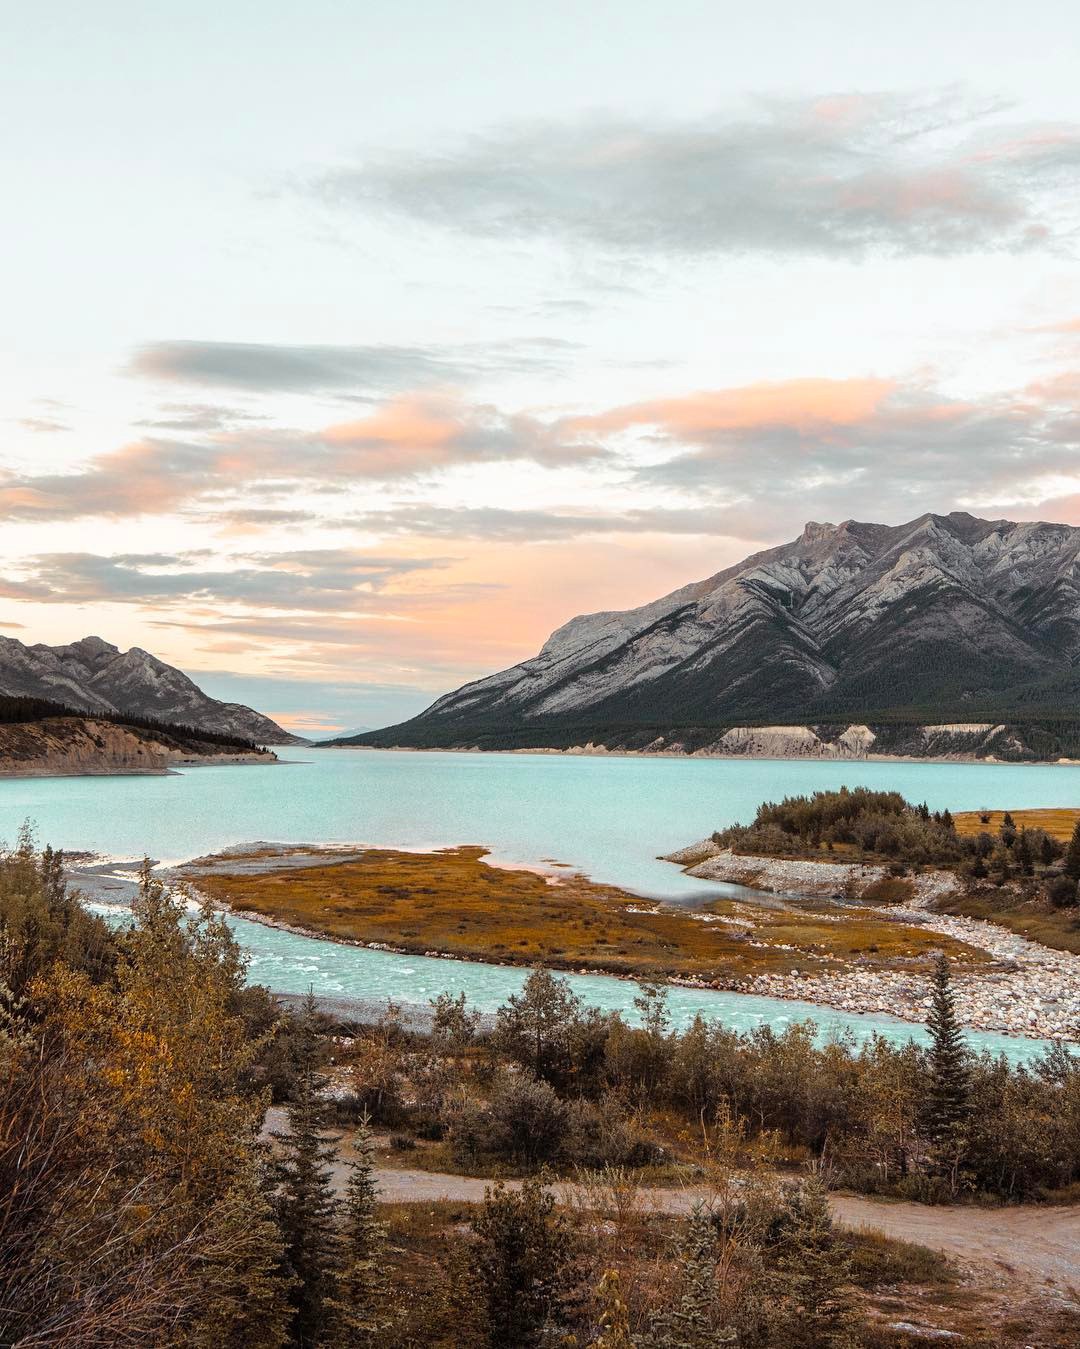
(1029, 989)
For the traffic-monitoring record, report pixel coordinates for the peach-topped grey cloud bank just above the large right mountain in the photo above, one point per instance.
(835, 449)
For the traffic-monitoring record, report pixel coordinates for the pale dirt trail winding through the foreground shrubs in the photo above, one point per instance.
(1036, 1242)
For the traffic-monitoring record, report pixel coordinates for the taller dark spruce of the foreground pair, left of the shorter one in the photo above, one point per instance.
(307, 1205)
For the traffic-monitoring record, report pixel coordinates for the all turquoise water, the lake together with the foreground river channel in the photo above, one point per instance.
(607, 817)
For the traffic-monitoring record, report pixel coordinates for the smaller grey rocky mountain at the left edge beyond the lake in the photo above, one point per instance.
(95, 677)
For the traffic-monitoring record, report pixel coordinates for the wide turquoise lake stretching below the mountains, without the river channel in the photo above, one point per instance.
(607, 817)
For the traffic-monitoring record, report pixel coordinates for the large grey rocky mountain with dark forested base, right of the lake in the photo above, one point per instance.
(944, 620)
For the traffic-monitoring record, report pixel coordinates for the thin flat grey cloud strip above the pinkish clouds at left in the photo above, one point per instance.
(376, 370)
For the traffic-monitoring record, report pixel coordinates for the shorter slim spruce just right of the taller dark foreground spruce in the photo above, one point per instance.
(362, 1311)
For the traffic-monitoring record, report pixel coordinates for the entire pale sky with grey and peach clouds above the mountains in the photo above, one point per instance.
(353, 349)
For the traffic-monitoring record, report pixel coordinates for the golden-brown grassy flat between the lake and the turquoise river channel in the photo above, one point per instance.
(452, 902)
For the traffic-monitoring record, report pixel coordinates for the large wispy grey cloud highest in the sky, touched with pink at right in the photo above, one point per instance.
(839, 177)
